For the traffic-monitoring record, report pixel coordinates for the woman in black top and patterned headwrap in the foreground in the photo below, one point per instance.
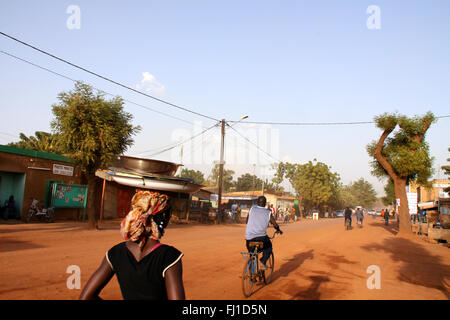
(145, 268)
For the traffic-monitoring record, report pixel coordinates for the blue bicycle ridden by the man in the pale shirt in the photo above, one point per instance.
(252, 274)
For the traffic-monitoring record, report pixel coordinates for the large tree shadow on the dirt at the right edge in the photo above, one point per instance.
(419, 266)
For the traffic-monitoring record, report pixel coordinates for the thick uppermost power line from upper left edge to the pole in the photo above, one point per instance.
(105, 78)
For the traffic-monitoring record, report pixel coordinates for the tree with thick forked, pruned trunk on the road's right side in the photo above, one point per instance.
(403, 157)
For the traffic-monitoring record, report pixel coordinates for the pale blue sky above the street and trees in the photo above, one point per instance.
(285, 61)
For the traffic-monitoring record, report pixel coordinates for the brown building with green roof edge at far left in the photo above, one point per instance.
(29, 174)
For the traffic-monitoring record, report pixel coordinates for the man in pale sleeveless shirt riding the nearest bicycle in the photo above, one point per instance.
(257, 222)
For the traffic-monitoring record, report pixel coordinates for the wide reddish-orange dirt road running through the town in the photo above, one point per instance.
(313, 260)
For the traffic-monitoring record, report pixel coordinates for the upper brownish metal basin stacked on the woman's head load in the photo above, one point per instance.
(143, 166)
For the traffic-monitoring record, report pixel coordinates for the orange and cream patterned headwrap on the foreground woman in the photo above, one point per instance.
(140, 222)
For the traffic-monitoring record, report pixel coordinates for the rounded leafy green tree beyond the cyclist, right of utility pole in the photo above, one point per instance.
(314, 183)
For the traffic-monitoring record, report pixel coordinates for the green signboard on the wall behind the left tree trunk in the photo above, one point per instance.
(69, 195)
